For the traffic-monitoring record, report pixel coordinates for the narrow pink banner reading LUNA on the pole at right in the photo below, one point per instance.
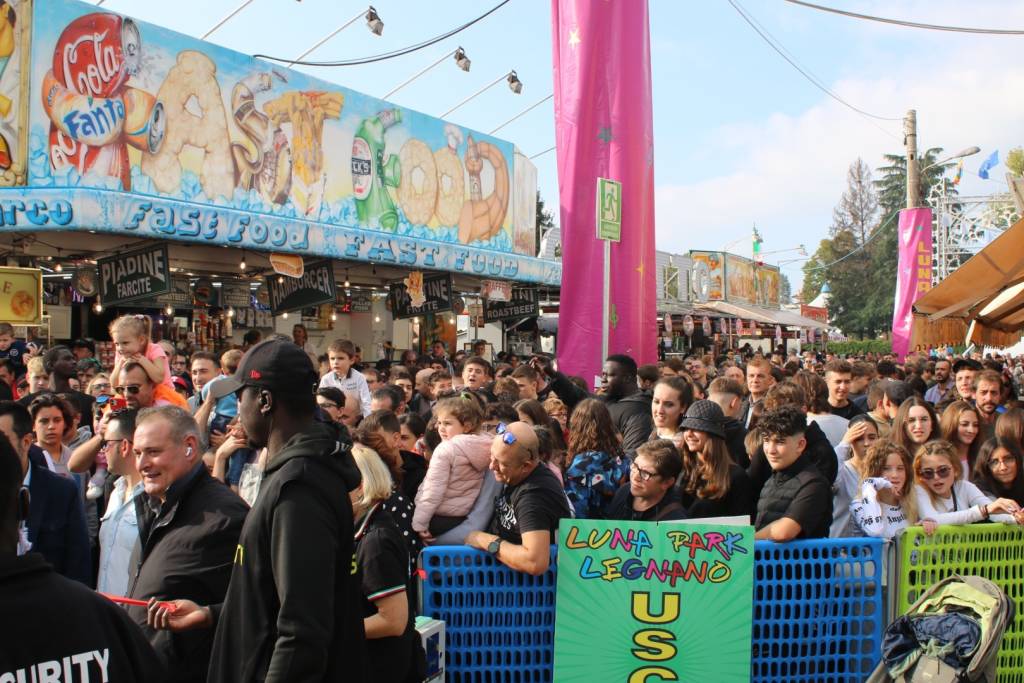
(914, 275)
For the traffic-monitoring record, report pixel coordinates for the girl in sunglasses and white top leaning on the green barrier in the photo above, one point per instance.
(945, 497)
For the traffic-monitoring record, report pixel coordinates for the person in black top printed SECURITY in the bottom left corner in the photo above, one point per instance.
(50, 619)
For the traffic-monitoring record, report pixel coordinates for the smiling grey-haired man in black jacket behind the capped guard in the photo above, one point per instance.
(189, 526)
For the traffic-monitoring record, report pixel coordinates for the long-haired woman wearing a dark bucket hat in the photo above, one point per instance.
(712, 486)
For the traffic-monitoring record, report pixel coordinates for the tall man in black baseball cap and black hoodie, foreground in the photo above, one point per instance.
(293, 608)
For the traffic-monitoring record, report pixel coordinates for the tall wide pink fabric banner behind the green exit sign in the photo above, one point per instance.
(605, 130)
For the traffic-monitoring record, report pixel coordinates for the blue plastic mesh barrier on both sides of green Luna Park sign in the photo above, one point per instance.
(818, 613)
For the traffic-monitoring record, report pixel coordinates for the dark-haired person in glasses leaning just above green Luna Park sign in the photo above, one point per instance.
(649, 495)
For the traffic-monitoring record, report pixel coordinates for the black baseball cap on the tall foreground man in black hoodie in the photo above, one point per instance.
(274, 365)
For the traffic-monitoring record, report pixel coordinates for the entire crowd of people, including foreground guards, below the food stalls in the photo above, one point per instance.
(259, 516)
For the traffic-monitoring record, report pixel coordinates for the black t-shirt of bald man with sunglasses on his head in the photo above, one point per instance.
(535, 504)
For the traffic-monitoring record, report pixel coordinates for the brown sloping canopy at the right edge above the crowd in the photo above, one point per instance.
(982, 303)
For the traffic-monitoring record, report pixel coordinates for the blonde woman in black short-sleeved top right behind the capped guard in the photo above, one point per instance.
(383, 564)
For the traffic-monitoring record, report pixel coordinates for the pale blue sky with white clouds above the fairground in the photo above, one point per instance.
(741, 138)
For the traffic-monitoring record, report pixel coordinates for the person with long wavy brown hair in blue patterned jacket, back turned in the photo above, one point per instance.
(595, 464)
